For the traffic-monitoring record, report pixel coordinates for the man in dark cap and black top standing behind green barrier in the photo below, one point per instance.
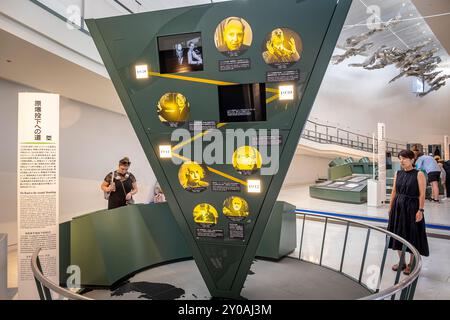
(120, 186)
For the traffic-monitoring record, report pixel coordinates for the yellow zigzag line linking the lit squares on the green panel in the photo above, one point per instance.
(220, 125)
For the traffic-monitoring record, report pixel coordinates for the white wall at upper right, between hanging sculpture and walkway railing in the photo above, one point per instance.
(364, 98)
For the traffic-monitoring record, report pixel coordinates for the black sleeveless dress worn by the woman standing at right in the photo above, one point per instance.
(402, 218)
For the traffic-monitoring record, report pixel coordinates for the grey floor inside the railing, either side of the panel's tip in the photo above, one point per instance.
(286, 279)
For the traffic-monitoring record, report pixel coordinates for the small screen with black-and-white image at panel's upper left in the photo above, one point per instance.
(180, 53)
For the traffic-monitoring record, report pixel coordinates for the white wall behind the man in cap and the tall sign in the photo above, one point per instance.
(92, 142)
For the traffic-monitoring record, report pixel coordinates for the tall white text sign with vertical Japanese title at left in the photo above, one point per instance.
(38, 188)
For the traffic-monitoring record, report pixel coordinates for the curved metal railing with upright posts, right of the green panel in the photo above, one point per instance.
(408, 283)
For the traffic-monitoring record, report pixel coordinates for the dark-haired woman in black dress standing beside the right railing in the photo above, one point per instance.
(406, 216)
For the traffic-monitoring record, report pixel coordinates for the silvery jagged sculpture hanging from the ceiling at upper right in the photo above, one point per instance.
(413, 62)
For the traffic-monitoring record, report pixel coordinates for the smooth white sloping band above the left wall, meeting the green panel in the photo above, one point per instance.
(27, 64)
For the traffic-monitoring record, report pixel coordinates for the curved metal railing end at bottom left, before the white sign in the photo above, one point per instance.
(45, 286)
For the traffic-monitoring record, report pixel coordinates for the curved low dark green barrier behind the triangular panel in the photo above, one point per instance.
(110, 246)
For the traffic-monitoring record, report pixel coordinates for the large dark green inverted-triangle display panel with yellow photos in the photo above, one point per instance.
(129, 41)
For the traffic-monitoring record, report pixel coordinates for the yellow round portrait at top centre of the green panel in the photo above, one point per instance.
(233, 36)
